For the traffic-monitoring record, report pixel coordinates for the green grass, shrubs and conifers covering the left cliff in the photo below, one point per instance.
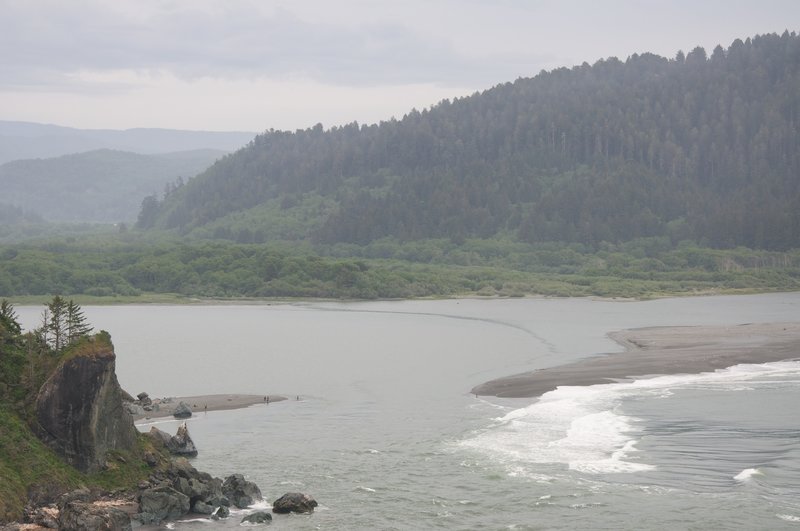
(32, 471)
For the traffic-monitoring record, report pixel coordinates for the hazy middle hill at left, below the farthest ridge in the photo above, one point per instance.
(102, 186)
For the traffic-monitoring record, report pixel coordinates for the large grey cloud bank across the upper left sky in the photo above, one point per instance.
(46, 43)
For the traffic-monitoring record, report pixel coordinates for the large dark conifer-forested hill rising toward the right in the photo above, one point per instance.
(702, 146)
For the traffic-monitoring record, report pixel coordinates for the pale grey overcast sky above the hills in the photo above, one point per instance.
(257, 64)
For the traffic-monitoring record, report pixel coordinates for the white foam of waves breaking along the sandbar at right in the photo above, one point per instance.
(582, 427)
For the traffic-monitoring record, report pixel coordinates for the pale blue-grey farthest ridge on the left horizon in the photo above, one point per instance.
(25, 140)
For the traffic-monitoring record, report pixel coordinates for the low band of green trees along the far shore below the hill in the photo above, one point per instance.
(384, 269)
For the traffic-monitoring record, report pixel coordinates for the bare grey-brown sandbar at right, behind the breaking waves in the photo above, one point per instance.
(658, 351)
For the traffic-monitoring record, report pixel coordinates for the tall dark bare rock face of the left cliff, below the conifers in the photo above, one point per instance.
(79, 410)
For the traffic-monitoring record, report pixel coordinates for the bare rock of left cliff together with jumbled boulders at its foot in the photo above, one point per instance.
(79, 413)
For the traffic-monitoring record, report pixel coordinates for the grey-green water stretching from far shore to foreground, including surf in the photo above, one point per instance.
(381, 428)
